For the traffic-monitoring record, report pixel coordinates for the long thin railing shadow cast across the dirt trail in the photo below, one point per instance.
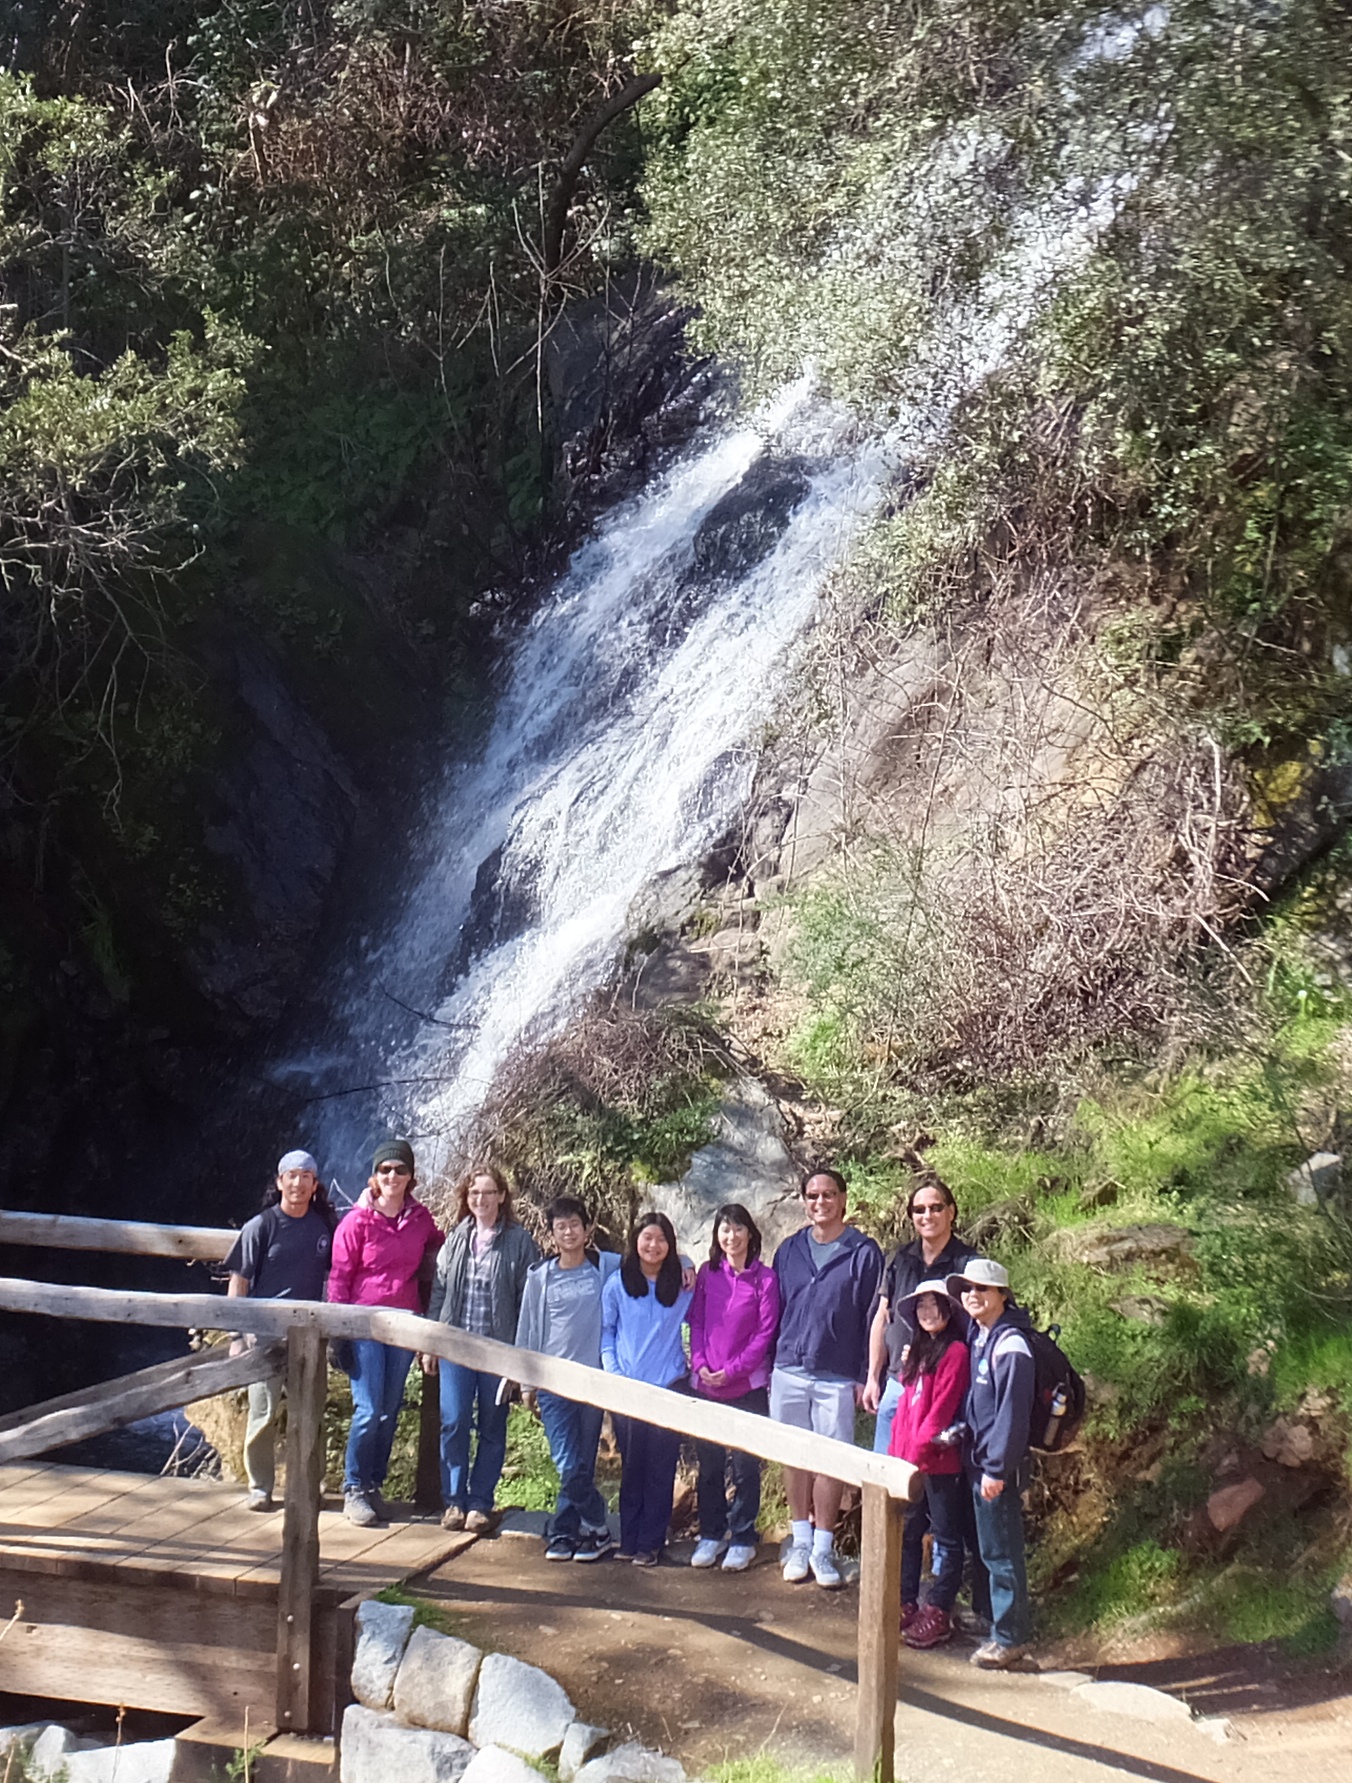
(773, 1641)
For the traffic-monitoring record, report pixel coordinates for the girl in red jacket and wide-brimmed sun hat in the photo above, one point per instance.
(934, 1388)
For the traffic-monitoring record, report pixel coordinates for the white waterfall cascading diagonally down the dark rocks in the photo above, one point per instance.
(623, 739)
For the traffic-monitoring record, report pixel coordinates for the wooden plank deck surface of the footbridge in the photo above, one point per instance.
(194, 1534)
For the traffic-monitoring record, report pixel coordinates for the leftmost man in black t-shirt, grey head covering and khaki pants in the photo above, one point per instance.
(283, 1254)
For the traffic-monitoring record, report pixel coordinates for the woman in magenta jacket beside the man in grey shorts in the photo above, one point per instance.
(734, 1322)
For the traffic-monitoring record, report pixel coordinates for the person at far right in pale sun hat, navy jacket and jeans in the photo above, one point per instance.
(1000, 1418)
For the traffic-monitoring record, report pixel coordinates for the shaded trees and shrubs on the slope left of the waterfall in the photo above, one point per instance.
(270, 279)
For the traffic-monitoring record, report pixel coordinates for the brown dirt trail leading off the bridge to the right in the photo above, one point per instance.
(711, 1666)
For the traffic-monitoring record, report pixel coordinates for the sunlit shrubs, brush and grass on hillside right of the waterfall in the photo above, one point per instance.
(1132, 1015)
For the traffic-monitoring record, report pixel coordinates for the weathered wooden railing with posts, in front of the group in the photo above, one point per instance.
(886, 1484)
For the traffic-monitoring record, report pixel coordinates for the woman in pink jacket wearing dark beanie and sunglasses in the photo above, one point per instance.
(379, 1253)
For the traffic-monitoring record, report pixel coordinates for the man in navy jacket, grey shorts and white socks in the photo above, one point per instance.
(829, 1283)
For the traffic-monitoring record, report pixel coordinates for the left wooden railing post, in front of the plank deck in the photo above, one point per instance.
(308, 1383)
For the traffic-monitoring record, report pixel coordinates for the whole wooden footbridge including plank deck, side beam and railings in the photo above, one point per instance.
(165, 1593)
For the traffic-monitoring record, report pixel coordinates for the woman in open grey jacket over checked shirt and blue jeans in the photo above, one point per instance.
(479, 1288)
